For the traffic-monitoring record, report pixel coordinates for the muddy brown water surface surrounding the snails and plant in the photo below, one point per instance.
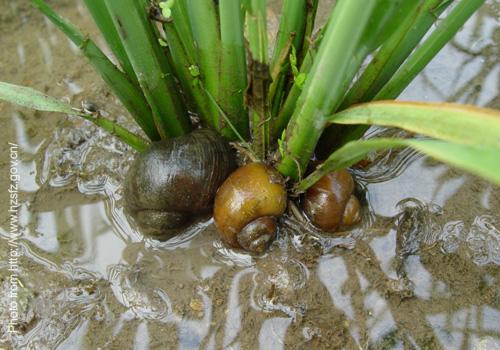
(422, 272)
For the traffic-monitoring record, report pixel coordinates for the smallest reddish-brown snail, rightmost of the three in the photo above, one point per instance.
(330, 204)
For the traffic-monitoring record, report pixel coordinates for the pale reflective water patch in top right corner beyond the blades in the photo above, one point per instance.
(469, 71)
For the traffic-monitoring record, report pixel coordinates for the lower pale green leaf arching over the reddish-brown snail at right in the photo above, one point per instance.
(481, 160)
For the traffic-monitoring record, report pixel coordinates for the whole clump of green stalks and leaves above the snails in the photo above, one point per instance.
(212, 58)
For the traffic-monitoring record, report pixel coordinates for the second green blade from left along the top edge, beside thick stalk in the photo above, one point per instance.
(102, 18)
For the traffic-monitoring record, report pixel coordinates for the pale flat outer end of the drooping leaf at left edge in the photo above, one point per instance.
(31, 98)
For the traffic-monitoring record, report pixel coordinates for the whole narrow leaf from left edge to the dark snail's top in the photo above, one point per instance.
(34, 99)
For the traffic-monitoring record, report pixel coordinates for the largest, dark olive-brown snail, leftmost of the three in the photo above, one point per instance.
(175, 180)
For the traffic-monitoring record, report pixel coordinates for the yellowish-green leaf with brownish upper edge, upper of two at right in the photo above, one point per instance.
(453, 122)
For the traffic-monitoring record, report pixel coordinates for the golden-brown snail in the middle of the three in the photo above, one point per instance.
(247, 206)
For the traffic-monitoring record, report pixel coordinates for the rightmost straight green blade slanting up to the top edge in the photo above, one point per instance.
(445, 30)
